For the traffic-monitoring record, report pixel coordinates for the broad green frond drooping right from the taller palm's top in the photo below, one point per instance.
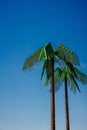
(66, 54)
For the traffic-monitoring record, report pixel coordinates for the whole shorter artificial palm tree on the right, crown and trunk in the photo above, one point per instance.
(69, 75)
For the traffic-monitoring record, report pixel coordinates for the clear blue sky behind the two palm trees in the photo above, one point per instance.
(24, 27)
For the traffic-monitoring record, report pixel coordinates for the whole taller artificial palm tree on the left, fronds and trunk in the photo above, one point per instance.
(51, 56)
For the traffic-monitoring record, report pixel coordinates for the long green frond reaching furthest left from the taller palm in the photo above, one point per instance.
(32, 59)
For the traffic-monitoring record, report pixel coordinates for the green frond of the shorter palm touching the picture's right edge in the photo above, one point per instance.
(80, 76)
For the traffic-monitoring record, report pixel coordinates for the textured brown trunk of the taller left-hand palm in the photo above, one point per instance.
(52, 97)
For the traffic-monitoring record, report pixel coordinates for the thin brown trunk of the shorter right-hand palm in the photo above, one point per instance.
(66, 105)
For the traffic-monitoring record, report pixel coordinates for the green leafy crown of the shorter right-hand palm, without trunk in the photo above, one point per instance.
(73, 75)
